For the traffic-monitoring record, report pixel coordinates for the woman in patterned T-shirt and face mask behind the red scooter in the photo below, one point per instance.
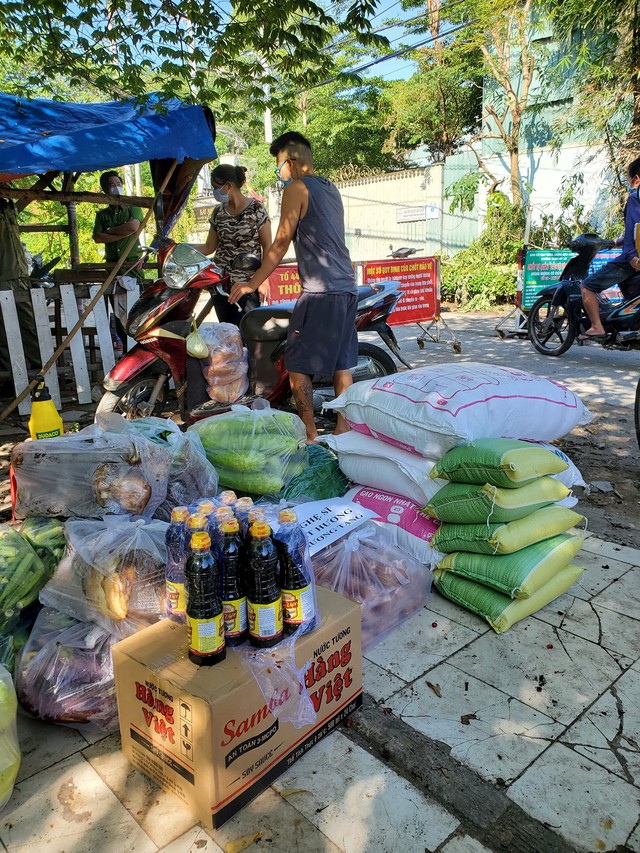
(238, 224)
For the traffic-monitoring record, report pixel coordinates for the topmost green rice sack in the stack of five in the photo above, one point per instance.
(503, 462)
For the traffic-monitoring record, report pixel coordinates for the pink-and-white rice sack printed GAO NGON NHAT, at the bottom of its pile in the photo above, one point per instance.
(406, 526)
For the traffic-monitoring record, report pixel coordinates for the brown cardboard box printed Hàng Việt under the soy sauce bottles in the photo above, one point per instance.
(206, 734)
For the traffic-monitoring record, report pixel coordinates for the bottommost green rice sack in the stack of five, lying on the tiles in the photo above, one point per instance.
(500, 611)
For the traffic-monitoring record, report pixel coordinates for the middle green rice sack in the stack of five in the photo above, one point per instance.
(507, 537)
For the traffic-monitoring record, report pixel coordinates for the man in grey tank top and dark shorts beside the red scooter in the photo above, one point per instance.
(322, 338)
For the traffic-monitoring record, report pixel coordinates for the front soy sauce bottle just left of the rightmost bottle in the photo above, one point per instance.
(264, 603)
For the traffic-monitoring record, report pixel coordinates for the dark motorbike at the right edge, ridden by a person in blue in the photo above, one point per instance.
(558, 316)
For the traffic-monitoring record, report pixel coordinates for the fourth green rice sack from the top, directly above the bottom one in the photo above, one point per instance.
(517, 575)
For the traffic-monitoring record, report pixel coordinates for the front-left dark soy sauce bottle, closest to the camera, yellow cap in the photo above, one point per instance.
(205, 621)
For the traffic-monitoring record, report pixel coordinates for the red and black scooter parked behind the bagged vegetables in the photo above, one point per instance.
(162, 318)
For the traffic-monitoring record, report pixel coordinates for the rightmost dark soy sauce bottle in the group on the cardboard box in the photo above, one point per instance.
(298, 599)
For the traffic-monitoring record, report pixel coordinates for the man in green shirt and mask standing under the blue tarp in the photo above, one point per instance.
(114, 226)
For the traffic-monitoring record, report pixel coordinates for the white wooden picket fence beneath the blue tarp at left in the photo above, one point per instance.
(97, 322)
